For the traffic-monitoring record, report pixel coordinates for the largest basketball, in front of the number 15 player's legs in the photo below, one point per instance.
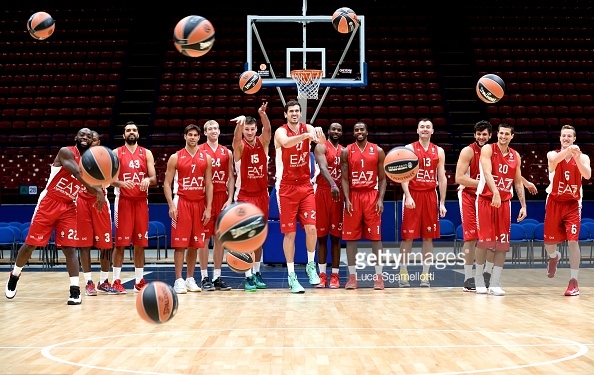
(242, 227)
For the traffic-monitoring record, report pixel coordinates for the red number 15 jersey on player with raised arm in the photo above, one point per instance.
(252, 169)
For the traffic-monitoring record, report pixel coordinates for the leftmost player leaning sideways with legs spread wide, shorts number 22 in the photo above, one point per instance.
(56, 211)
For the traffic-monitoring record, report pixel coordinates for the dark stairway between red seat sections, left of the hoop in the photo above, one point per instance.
(140, 74)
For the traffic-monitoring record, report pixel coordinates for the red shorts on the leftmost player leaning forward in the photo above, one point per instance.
(53, 214)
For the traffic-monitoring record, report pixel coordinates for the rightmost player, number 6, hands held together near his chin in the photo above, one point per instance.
(567, 167)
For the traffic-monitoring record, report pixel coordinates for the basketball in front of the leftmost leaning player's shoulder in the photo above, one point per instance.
(99, 166)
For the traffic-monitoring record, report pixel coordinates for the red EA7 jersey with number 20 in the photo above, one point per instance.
(503, 171)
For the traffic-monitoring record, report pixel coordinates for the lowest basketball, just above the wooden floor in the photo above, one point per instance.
(156, 302)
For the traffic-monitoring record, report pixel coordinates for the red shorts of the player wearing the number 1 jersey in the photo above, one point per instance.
(364, 222)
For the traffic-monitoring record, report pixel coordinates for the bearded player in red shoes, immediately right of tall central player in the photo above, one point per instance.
(329, 203)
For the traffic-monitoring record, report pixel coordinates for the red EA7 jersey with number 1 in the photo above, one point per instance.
(363, 166)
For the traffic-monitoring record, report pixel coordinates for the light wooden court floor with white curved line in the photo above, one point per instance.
(534, 329)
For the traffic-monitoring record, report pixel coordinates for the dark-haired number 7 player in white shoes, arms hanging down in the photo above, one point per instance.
(190, 172)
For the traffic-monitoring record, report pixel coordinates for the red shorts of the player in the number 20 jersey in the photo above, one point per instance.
(493, 224)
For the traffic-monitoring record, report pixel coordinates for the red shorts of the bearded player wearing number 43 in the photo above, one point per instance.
(131, 221)
